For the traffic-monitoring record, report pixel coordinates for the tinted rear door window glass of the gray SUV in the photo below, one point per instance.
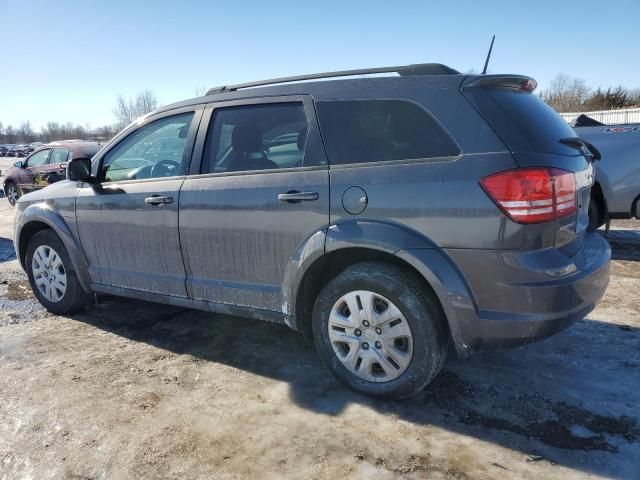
(257, 137)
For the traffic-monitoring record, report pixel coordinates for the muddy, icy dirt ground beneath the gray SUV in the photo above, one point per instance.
(129, 389)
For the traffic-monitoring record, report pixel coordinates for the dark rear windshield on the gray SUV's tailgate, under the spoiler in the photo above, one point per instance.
(523, 120)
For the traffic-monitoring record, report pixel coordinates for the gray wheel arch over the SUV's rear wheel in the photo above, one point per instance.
(357, 242)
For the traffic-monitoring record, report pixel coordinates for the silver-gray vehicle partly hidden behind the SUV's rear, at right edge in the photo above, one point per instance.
(616, 191)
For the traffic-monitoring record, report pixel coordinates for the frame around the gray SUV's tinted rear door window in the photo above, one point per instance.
(314, 148)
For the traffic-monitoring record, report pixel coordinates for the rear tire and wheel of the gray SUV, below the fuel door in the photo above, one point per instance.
(379, 331)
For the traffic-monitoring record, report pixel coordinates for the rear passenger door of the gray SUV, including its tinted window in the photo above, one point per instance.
(261, 191)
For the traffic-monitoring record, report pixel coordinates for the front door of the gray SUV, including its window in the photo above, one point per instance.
(128, 220)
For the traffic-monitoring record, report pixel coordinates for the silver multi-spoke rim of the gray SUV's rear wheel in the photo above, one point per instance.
(370, 336)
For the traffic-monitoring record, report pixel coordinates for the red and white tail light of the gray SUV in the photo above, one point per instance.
(533, 195)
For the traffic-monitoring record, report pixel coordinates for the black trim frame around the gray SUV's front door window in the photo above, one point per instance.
(189, 150)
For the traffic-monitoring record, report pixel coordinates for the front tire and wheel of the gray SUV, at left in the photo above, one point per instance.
(51, 275)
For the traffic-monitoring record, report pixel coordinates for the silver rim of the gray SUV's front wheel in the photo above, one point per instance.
(49, 274)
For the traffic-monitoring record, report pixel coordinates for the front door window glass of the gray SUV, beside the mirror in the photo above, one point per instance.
(153, 151)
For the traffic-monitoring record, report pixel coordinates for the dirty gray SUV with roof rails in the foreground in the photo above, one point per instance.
(384, 216)
